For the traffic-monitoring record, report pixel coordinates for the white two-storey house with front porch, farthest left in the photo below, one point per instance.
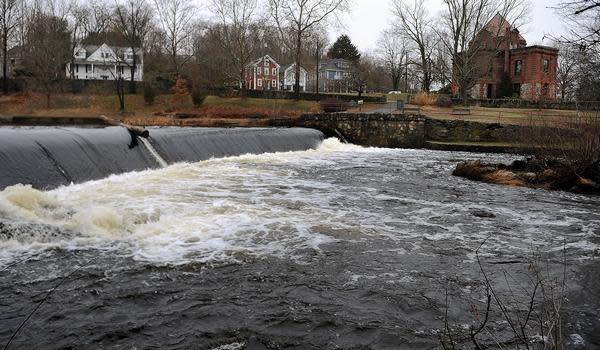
(105, 62)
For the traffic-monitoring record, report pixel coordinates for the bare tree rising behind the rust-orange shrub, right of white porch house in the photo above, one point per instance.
(175, 19)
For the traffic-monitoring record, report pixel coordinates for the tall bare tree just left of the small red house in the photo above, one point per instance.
(237, 19)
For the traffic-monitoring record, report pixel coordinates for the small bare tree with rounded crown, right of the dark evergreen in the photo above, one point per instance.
(393, 51)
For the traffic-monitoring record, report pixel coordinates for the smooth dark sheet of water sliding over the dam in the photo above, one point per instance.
(50, 157)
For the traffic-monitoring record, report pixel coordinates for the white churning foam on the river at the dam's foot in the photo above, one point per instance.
(268, 204)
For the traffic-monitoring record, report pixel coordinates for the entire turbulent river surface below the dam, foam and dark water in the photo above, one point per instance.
(339, 247)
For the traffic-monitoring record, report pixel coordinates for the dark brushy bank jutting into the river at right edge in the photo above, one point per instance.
(535, 172)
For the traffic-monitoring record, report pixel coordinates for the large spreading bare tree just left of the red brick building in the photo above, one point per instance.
(467, 37)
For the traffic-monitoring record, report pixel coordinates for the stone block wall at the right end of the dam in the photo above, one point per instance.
(378, 130)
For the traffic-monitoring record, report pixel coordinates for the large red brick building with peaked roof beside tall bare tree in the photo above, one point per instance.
(532, 69)
